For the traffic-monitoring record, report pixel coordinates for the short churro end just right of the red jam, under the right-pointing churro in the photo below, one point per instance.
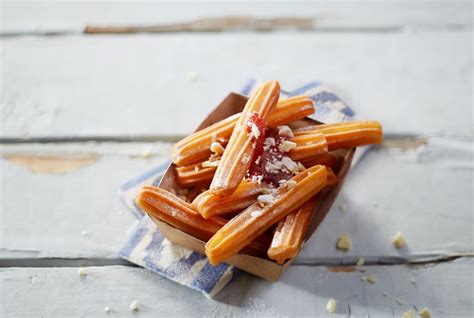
(310, 144)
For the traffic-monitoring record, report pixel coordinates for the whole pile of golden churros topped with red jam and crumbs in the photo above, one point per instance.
(251, 182)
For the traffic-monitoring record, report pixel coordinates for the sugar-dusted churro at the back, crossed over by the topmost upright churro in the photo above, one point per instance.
(197, 146)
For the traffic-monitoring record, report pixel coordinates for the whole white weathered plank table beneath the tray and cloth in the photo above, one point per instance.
(78, 111)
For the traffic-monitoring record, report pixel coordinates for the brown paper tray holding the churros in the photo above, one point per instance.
(262, 267)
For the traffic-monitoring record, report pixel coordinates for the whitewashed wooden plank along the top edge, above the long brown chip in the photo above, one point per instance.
(57, 16)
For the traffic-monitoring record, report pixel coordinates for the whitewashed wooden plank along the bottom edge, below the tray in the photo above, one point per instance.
(445, 288)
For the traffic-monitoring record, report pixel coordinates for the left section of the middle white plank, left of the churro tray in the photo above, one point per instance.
(72, 211)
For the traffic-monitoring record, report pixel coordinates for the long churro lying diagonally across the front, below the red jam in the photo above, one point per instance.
(255, 220)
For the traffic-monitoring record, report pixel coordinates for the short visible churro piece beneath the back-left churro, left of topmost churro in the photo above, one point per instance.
(197, 173)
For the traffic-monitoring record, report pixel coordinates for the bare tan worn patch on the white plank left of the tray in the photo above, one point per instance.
(51, 164)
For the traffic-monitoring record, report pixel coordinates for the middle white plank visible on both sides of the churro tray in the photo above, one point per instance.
(423, 192)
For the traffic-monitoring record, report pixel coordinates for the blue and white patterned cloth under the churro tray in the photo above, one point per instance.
(148, 248)
